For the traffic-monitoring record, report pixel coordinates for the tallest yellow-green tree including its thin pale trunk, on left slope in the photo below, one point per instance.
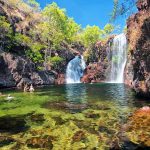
(50, 29)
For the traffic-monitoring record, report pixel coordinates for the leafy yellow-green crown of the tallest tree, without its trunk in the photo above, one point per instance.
(53, 25)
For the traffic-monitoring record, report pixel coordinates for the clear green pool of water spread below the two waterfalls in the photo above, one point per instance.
(75, 115)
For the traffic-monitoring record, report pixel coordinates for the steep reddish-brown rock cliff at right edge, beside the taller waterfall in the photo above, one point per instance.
(137, 72)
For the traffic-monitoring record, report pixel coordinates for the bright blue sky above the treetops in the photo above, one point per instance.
(88, 12)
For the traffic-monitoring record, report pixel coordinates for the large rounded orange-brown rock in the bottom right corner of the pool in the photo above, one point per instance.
(138, 127)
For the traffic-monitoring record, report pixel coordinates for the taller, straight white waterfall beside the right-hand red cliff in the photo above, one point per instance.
(119, 58)
